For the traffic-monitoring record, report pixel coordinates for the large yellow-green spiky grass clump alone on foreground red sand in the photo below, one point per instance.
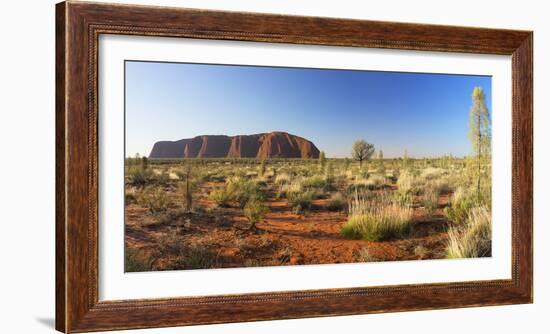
(376, 220)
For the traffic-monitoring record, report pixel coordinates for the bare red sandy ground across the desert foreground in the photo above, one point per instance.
(283, 238)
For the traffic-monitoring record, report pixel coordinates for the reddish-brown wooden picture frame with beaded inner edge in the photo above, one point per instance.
(78, 27)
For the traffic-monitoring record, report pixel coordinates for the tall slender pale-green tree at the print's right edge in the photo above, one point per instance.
(479, 129)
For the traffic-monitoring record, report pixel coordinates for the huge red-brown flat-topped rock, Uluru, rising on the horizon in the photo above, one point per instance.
(275, 144)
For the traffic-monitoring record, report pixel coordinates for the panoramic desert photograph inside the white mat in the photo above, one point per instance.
(230, 166)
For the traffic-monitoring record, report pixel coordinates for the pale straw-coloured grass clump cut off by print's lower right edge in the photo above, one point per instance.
(473, 239)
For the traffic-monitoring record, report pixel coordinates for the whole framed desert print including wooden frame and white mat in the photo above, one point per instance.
(221, 166)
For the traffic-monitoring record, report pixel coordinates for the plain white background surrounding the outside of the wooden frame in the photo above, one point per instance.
(27, 166)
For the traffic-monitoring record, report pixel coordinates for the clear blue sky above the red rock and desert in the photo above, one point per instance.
(426, 114)
